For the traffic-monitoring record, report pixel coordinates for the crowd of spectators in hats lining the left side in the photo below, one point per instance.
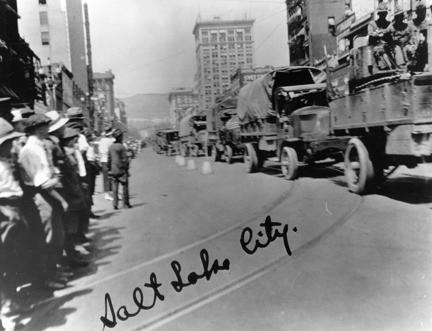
(48, 169)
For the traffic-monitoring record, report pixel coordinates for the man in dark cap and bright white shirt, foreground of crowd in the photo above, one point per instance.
(38, 175)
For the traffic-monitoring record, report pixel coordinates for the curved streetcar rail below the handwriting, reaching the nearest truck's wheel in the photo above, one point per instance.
(214, 294)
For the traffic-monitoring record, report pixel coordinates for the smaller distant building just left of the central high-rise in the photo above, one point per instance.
(182, 100)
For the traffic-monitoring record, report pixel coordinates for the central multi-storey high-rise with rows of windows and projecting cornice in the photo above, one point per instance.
(222, 46)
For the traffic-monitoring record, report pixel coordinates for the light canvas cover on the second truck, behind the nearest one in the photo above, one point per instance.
(255, 100)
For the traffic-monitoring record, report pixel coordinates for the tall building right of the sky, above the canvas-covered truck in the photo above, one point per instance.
(310, 23)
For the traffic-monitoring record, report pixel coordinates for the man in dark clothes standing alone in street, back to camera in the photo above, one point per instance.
(118, 169)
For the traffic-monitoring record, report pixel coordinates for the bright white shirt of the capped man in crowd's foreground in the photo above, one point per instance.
(35, 167)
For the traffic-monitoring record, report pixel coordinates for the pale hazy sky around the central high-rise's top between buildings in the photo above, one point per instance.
(149, 45)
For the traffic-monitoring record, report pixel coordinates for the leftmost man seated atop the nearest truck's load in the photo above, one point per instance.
(379, 40)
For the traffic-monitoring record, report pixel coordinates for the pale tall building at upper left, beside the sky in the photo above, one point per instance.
(55, 31)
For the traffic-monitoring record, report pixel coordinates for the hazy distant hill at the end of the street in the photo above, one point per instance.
(147, 107)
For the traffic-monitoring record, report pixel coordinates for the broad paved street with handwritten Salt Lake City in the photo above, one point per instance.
(357, 263)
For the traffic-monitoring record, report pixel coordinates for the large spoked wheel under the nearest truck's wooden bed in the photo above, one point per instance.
(359, 170)
